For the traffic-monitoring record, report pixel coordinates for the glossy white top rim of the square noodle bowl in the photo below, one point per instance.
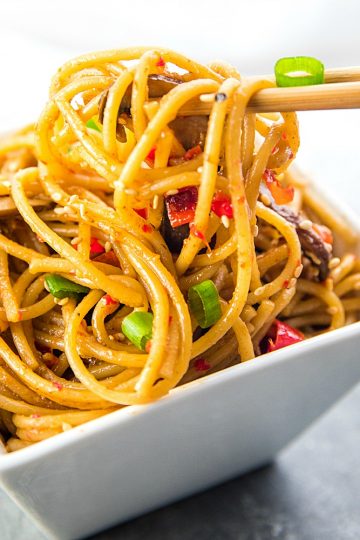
(115, 418)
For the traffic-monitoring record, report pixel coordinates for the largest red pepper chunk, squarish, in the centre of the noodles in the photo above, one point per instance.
(181, 207)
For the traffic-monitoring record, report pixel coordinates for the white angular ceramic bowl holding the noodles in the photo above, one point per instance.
(141, 457)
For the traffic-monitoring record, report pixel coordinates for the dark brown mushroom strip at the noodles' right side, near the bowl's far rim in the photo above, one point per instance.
(311, 242)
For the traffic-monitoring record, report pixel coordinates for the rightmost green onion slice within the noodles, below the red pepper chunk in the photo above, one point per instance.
(204, 303)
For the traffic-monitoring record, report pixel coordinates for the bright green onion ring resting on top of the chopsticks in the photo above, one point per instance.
(299, 71)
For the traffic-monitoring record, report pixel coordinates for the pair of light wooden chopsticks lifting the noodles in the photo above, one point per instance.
(341, 90)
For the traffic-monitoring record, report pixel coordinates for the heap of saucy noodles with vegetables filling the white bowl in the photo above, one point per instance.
(117, 206)
